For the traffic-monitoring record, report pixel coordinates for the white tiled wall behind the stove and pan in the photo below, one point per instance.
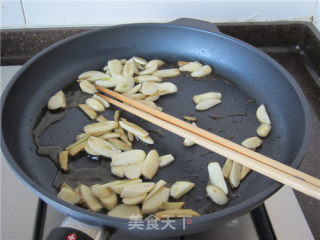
(48, 13)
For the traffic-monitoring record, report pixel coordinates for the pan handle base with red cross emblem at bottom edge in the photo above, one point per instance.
(75, 229)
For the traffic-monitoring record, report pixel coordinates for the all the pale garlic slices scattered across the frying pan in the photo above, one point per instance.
(142, 80)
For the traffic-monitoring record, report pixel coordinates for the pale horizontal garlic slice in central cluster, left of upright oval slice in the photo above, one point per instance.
(128, 157)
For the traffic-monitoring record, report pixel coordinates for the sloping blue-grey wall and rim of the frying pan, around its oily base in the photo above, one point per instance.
(254, 75)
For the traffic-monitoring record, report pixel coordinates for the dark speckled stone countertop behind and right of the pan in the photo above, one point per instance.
(295, 45)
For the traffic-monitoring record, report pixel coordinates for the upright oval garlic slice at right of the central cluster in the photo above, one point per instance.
(151, 164)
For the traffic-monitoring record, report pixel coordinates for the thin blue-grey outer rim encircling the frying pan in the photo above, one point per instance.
(100, 219)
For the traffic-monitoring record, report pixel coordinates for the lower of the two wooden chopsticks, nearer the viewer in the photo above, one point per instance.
(274, 173)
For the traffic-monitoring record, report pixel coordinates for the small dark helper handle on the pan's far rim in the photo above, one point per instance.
(196, 23)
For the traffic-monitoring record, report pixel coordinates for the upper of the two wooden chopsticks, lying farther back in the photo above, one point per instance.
(215, 138)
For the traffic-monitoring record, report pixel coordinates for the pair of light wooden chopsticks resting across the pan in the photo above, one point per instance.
(267, 166)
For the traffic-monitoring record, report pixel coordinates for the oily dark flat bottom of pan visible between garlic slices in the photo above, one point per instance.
(61, 127)
